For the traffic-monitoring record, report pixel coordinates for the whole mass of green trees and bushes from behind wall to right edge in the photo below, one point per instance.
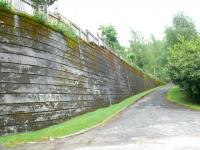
(151, 55)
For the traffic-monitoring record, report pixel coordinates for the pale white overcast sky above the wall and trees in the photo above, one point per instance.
(146, 16)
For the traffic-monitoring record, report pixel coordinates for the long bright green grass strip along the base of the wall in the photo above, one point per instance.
(73, 125)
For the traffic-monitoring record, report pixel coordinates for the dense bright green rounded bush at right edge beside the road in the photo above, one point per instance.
(184, 66)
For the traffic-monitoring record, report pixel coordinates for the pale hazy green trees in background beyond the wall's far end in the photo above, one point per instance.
(149, 55)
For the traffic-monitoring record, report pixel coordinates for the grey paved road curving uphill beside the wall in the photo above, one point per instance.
(152, 123)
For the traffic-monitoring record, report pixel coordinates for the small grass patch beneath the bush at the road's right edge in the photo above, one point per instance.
(178, 96)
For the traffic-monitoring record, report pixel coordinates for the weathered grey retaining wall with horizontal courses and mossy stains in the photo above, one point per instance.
(46, 78)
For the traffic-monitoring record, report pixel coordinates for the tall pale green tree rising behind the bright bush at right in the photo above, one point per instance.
(182, 26)
